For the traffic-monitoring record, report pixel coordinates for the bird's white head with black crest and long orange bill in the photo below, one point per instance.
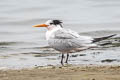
(50, 24)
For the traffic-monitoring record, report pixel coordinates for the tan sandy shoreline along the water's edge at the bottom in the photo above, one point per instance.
(63, 73)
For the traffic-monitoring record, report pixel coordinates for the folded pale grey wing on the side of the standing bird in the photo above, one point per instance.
(65, 40)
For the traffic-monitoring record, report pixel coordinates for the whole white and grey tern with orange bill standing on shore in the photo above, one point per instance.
(66, 40)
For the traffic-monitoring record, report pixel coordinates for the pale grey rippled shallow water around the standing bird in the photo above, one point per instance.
(20, 42)
